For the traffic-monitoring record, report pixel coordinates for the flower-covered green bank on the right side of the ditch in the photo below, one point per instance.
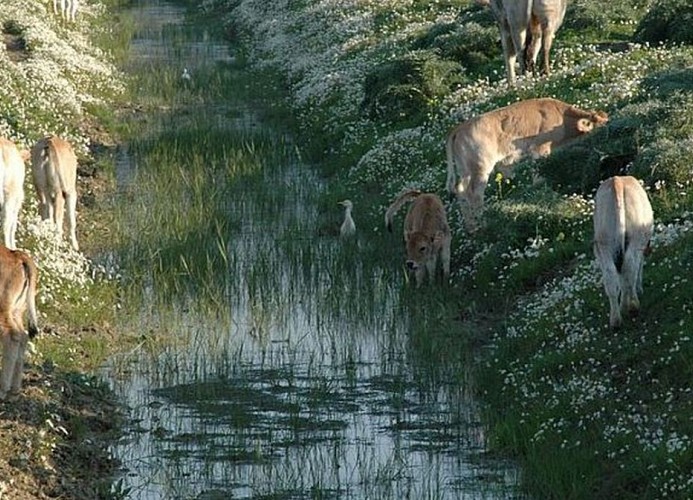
(588, 412)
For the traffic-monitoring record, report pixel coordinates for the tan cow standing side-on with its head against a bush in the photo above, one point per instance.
(499, 138)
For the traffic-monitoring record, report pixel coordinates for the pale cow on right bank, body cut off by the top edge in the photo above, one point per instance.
(520, 21)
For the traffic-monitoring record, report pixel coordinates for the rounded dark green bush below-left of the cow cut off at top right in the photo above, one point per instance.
(404, 89)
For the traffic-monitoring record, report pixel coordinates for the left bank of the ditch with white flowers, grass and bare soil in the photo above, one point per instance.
(61, 78)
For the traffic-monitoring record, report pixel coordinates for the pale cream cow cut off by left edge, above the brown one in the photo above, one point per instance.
(12, 192)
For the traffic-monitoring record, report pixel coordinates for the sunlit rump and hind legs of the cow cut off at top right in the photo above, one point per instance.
(547, 17)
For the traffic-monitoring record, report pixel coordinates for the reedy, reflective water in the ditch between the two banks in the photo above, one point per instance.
(320, 382)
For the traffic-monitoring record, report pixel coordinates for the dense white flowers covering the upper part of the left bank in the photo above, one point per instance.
(52, 77)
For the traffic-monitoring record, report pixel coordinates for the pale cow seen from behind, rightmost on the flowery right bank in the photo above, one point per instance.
(623, 223)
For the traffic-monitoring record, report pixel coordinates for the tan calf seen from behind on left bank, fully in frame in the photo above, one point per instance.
(54, 171)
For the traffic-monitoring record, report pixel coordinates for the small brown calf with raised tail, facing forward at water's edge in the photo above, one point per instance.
(426, 233)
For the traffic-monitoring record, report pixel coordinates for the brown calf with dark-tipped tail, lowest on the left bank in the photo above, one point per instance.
(18, 278)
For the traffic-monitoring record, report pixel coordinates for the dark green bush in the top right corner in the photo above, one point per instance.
(667, 21)
